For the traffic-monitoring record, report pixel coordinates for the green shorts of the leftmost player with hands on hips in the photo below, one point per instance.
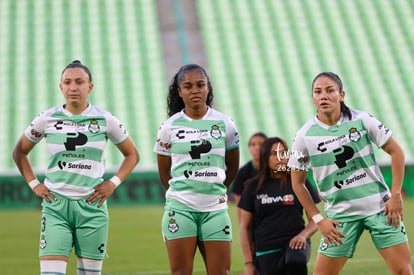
(69, 223)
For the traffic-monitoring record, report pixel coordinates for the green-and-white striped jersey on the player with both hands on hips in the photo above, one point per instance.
(76, 146)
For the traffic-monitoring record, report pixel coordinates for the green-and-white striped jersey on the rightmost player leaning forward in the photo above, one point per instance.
(343, 163)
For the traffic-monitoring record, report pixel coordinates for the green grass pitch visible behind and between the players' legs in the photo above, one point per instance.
(136, 246)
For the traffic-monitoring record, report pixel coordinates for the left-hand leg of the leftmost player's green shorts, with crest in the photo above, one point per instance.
(56, 236)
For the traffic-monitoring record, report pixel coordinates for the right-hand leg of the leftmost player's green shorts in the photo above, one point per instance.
(91, 230)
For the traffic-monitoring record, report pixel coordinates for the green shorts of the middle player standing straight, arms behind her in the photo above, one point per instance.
(206, 226)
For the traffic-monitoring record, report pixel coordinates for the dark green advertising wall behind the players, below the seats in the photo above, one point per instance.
(138, 189)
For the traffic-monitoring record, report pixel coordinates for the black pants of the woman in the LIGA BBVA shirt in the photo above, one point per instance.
(284, 262)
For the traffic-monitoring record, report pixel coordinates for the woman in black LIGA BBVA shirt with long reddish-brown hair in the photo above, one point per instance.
(272, 228)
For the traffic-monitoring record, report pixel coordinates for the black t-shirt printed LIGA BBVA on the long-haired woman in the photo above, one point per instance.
(277, 212)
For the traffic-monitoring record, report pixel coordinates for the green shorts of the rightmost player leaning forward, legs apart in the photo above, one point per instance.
(382, 235)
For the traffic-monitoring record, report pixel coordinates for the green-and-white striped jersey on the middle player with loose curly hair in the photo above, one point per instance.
(197, 149)
